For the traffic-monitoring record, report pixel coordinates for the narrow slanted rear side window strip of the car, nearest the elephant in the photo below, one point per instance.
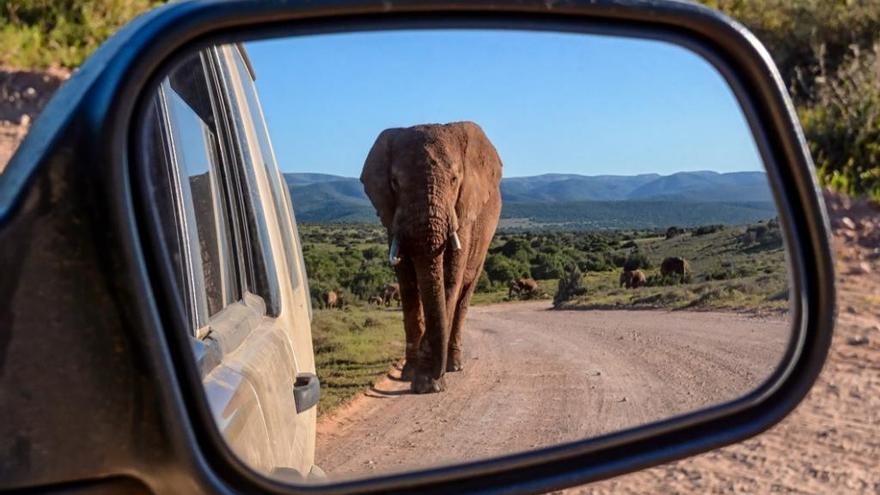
(267, 159)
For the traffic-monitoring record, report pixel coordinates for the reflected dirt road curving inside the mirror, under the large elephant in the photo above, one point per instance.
(536, 377)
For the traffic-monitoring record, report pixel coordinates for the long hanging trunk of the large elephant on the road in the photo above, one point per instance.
(434, 347)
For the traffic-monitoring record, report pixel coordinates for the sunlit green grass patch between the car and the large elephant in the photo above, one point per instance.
(354, 348)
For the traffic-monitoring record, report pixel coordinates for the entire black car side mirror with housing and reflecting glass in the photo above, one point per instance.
(622, 168)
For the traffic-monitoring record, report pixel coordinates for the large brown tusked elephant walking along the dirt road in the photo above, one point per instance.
(436, 189)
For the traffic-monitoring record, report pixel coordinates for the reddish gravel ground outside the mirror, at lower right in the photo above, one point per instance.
(831, 443)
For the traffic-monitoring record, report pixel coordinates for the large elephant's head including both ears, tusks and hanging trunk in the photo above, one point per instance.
(429, 183)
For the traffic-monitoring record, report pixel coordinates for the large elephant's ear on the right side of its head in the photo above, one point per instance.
(482, 172)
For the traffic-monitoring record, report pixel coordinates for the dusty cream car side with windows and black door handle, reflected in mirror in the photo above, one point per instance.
(240, 282)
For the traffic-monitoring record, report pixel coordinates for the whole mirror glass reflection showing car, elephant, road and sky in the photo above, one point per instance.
(503, 240)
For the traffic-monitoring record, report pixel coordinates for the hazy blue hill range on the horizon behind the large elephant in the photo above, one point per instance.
(573, 201)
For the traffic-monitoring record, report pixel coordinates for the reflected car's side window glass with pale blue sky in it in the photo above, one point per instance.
(203, 213)
